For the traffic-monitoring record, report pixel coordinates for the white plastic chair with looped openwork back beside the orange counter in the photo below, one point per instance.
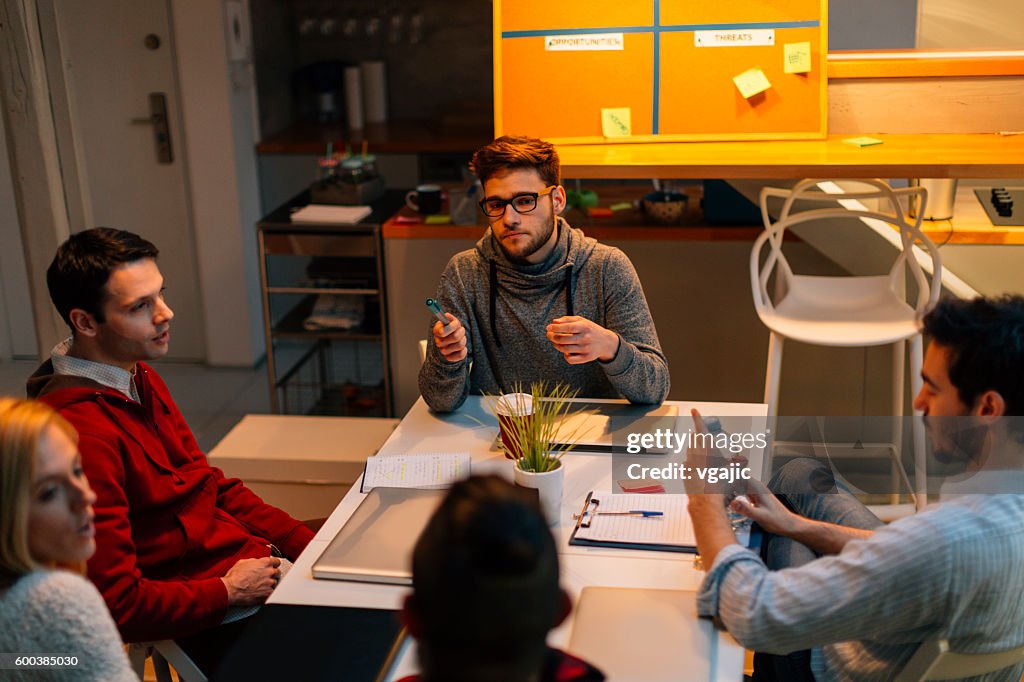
(846, 312)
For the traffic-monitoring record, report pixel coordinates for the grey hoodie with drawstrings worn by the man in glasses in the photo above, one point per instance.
(505, 309)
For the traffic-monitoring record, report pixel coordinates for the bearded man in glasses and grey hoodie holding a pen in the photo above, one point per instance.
(537, 300)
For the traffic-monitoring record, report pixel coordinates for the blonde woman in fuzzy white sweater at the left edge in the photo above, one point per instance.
(52, 620)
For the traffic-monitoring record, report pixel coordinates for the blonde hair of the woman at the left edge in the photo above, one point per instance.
(23, 424)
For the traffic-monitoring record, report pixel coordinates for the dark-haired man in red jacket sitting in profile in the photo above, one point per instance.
(181, 549)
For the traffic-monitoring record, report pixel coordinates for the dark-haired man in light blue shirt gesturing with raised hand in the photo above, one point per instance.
(859, 598)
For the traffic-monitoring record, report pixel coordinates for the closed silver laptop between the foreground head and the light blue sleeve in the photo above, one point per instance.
(652, 635)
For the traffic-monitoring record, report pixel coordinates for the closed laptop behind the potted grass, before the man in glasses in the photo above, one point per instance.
(603, 428)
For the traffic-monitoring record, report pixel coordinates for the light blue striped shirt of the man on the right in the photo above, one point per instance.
(953, 572)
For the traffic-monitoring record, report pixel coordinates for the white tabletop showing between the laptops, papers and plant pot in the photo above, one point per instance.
(423, 432)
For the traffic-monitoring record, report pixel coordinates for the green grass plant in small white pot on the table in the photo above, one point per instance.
(535, 437)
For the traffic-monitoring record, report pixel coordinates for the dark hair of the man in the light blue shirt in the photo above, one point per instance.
(986, 340)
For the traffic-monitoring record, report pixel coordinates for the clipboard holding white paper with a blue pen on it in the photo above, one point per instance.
(675, 511)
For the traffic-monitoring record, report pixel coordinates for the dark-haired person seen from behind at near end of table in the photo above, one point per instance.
(486, 590)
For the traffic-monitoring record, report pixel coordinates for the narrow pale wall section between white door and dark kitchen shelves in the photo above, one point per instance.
(219, 107)
